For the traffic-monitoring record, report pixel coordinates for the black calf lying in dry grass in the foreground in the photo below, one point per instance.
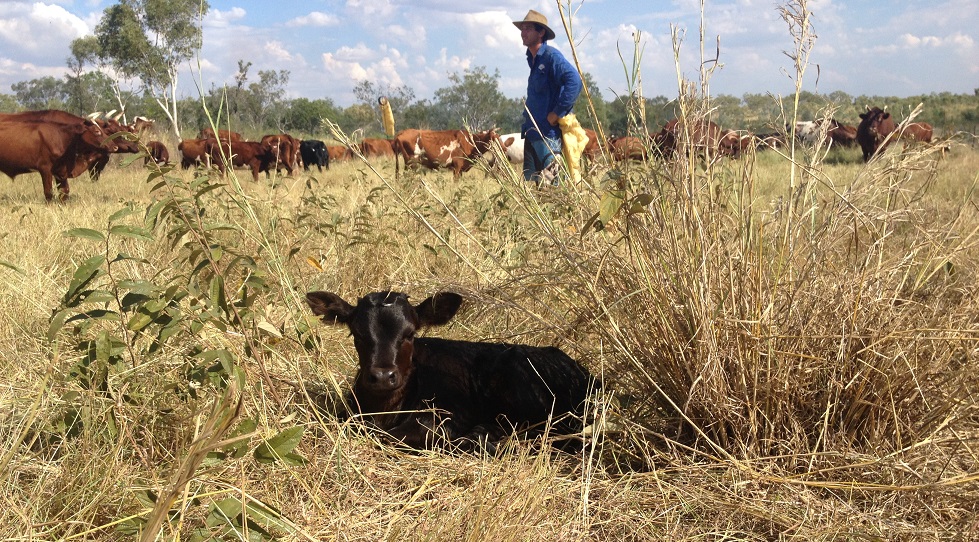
(427, 392)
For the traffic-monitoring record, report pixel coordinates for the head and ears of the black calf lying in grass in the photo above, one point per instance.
(383, 325)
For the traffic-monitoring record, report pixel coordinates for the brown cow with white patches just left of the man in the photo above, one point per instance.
(450, 149)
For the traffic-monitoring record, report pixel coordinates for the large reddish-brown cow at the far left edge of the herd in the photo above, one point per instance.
(58, 151)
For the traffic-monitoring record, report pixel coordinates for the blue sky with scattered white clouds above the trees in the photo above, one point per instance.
(883, 48)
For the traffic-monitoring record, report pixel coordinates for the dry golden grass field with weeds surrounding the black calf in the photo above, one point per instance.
(791, 351)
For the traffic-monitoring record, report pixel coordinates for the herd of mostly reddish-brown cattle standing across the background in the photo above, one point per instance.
(61, 146)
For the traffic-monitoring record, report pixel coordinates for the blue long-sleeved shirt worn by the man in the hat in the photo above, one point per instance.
(553, 85)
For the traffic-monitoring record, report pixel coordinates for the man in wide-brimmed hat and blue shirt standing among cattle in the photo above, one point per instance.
(552, 88)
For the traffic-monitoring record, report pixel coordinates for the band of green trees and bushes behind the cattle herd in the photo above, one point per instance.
(473, 99)
